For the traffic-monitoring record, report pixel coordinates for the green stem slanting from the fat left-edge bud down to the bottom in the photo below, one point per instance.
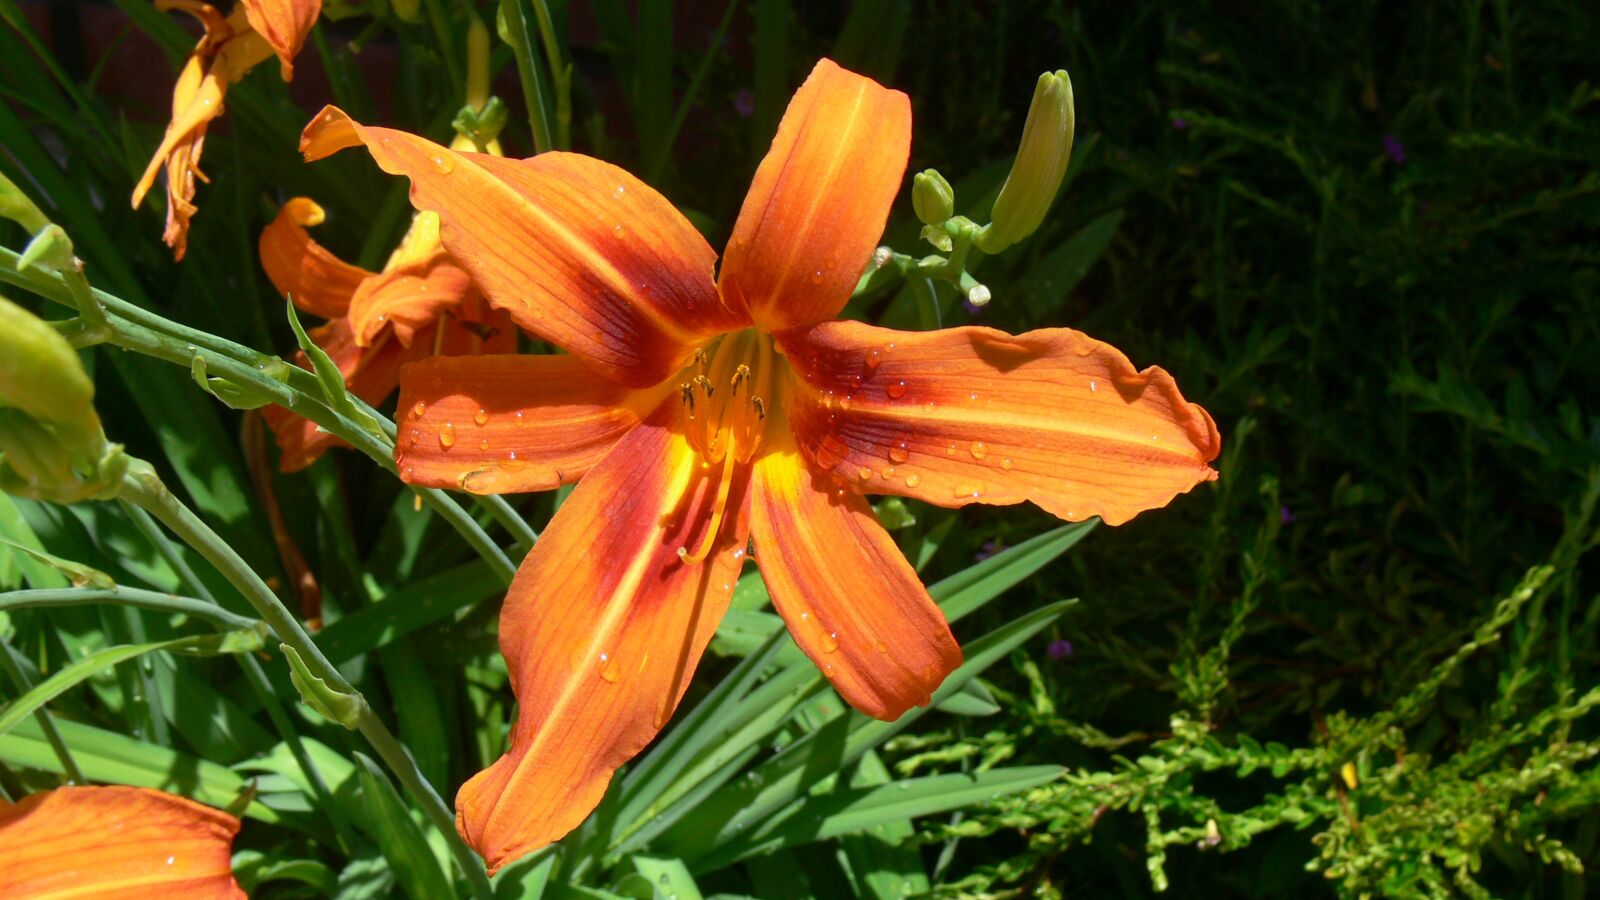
(145, 489)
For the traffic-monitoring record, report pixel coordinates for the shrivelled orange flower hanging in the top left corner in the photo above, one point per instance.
(230, 49)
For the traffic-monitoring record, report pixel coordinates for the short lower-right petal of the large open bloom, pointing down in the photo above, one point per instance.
(852, 601)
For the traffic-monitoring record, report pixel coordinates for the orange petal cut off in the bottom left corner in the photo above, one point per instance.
(116, 842)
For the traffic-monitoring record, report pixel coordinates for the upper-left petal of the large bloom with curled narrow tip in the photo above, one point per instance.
(575, 249)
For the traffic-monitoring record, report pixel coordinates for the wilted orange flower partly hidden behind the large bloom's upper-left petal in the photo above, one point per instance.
(422, 305)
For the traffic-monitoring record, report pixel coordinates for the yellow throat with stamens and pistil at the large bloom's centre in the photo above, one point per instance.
(726, 393)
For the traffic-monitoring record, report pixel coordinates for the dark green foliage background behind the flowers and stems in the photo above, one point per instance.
(1364, 662)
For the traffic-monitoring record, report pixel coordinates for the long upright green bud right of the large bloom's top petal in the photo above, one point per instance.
(1039, 169)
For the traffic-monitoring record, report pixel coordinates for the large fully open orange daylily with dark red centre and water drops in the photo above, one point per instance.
(706, 414)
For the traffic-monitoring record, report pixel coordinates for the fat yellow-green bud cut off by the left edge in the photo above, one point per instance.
(41, 374)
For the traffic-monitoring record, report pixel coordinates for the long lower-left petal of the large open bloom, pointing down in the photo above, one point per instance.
(602, 630)
